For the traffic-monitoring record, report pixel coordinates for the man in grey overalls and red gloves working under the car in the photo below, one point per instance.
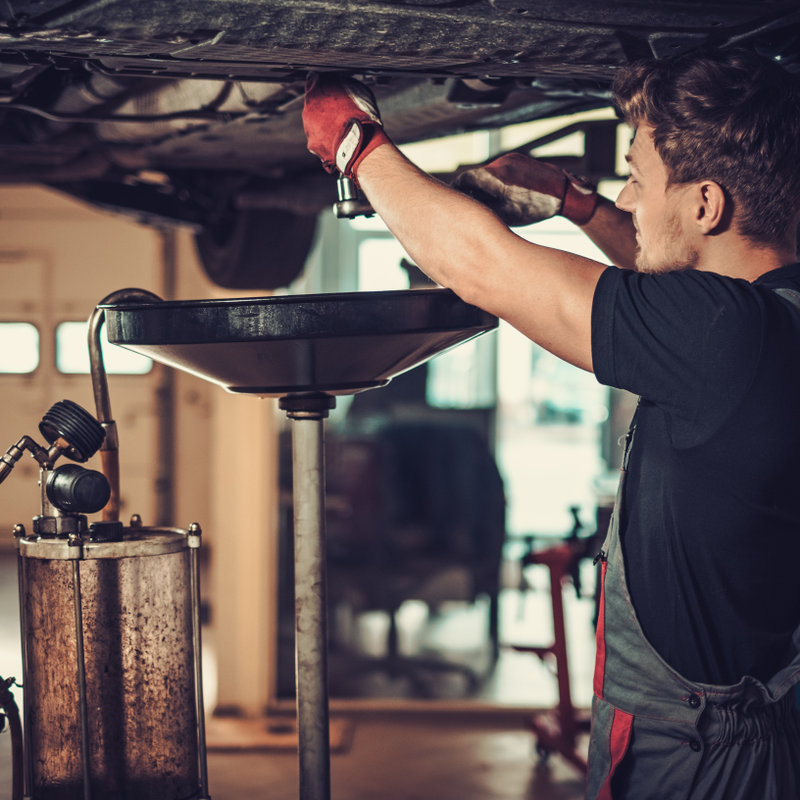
(698, 640)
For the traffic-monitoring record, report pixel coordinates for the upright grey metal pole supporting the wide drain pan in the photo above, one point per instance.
(311, 634)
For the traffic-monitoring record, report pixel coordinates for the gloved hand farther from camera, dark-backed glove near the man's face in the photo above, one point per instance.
(522, 190)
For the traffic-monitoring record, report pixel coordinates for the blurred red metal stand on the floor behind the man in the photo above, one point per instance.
(557, 730)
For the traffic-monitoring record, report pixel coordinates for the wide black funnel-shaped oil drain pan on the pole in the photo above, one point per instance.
(275, 346)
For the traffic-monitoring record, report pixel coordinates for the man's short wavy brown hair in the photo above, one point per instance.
(727, 116)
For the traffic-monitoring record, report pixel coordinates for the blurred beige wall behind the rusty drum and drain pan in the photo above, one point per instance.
(58, 258)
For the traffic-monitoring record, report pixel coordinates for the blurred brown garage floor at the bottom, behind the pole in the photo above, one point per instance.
(397, 757)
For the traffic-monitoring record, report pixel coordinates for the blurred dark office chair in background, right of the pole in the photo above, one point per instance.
(411, 503)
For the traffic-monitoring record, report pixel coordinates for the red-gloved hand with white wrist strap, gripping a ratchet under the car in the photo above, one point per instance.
(341, 122)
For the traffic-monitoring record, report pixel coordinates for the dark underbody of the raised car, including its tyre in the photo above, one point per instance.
(189, 112)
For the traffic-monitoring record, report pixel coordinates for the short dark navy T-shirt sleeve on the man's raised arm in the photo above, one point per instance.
(687, 341)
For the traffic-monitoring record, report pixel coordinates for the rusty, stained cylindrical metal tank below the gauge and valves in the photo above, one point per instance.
(141, 714)
